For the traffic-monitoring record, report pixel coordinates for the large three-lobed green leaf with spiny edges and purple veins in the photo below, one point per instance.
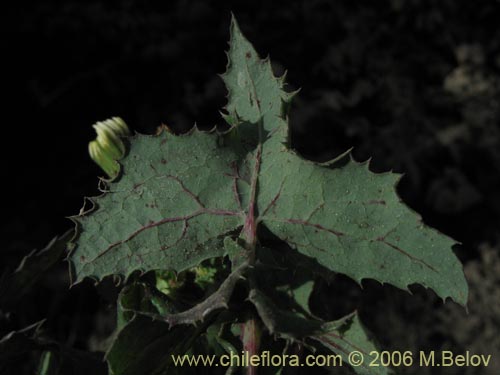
(179, 196)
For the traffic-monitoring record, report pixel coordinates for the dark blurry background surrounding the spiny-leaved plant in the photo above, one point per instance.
(414, 84)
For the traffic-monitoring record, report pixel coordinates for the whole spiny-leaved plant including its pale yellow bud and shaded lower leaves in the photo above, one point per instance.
(263, 222)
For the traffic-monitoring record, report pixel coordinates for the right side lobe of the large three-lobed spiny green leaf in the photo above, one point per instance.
(352, 222)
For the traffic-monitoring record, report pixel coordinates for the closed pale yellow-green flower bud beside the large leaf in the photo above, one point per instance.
(108, 147)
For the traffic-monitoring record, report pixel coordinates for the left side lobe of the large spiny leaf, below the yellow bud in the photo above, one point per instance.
(170, 208)
